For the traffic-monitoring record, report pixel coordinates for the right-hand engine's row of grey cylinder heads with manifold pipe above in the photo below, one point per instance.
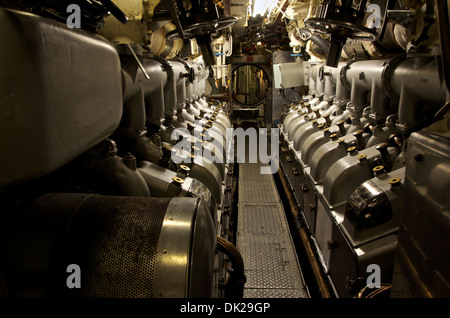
(350, 133)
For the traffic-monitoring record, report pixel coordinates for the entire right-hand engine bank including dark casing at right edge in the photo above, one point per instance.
(347, 150)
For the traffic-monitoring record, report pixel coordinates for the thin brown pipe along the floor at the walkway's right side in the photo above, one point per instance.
(306, 242)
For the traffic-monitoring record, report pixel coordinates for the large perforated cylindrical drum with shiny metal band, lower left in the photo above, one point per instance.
(125, 247)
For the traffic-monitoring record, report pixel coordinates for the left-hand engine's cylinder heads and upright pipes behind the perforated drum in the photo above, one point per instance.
(164, 103)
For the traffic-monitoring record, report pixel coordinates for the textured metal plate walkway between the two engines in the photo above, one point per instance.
(264, 240)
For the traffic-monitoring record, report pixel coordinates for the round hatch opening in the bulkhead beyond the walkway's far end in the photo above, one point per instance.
(250, 85)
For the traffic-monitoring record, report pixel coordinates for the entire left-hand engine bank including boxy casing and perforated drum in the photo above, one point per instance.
(88, 132)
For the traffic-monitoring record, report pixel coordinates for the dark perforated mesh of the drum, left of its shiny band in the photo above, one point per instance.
(114, 241)
